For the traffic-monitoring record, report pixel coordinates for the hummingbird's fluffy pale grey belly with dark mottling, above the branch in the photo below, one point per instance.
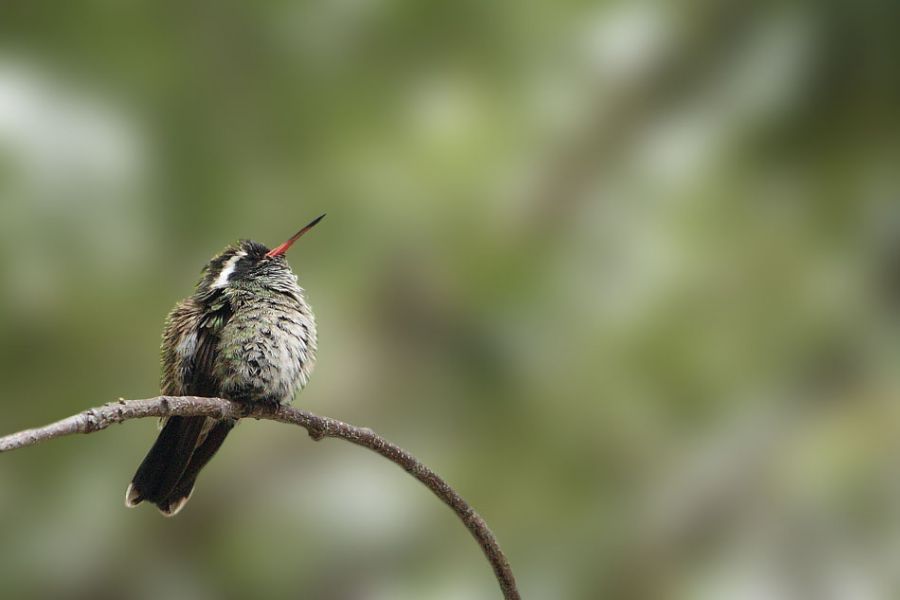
(266, 355)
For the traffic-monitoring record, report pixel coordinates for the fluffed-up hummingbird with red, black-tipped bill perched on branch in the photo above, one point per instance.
(246, 334)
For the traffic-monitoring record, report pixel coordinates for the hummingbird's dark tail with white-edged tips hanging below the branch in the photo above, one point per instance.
(166, 476)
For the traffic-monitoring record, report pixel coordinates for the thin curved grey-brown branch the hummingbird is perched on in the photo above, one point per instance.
(318, 428)
